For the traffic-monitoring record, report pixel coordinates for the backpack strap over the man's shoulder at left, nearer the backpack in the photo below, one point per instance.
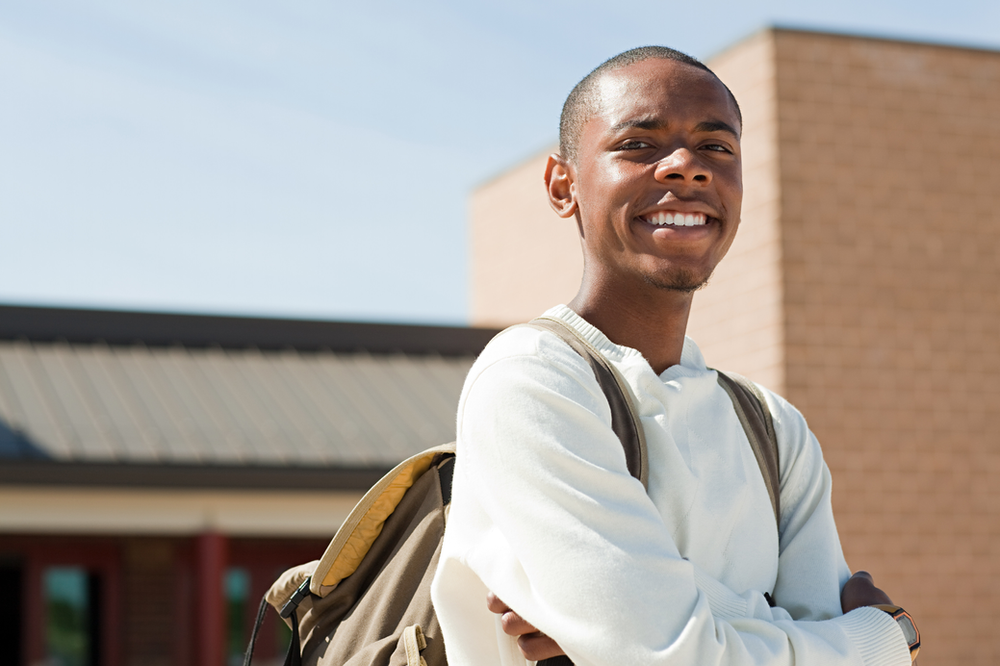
(624, 420)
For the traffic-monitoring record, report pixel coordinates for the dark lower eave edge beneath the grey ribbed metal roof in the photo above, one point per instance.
(215, 477)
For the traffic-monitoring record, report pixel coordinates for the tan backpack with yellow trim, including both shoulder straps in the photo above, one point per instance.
(367, 602)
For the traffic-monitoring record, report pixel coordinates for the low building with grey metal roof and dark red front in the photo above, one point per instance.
(158, 471)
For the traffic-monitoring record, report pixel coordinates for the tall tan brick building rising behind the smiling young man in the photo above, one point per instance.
(864, 285)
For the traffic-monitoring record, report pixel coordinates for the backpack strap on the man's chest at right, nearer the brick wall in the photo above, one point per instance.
(755, 417)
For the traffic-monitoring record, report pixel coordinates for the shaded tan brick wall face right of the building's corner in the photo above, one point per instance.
(890, 227)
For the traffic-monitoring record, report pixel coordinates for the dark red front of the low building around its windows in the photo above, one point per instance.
(162, 600)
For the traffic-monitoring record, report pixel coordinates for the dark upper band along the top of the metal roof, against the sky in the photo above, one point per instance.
(156, 329)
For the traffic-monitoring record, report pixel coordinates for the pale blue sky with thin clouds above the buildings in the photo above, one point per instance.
(313, 159)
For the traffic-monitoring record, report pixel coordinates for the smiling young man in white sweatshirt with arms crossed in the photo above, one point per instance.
(544, 511)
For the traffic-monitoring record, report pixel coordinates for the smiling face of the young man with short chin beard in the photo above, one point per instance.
(658, 180)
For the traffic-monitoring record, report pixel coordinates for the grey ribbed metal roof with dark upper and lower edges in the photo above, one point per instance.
(199, 412)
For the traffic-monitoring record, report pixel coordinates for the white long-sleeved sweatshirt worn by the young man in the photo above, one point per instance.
(545, 513)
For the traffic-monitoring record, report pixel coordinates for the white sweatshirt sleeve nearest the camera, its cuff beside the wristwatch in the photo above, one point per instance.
(556, 526)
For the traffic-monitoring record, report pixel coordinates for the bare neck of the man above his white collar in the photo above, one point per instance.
(651, 323)
